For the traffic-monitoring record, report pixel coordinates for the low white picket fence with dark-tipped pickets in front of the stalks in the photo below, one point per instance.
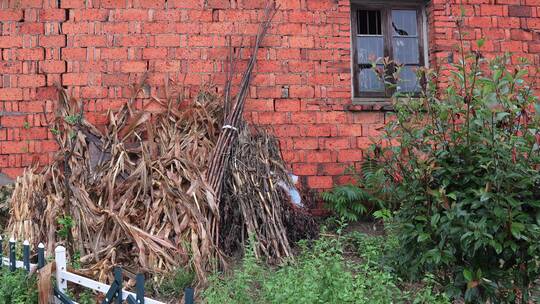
(63, 276)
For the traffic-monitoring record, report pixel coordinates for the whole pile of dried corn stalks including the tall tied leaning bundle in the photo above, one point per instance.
(146, 192)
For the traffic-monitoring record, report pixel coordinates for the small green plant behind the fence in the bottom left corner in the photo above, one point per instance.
(17, 288)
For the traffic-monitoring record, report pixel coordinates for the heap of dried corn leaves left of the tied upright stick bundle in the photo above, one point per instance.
(136, 192)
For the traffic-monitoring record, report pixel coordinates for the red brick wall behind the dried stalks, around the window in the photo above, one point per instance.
(302, 87)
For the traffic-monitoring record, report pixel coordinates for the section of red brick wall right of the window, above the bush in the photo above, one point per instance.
(507, 25)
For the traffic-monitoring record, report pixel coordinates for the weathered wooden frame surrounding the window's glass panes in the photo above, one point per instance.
(386, 8)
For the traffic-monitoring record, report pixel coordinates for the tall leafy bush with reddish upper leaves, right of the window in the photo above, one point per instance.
(465, 170)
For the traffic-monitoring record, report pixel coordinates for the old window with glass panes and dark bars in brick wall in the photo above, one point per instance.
(386, 31)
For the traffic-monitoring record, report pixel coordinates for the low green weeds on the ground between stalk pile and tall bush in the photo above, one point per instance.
(320, 274)
